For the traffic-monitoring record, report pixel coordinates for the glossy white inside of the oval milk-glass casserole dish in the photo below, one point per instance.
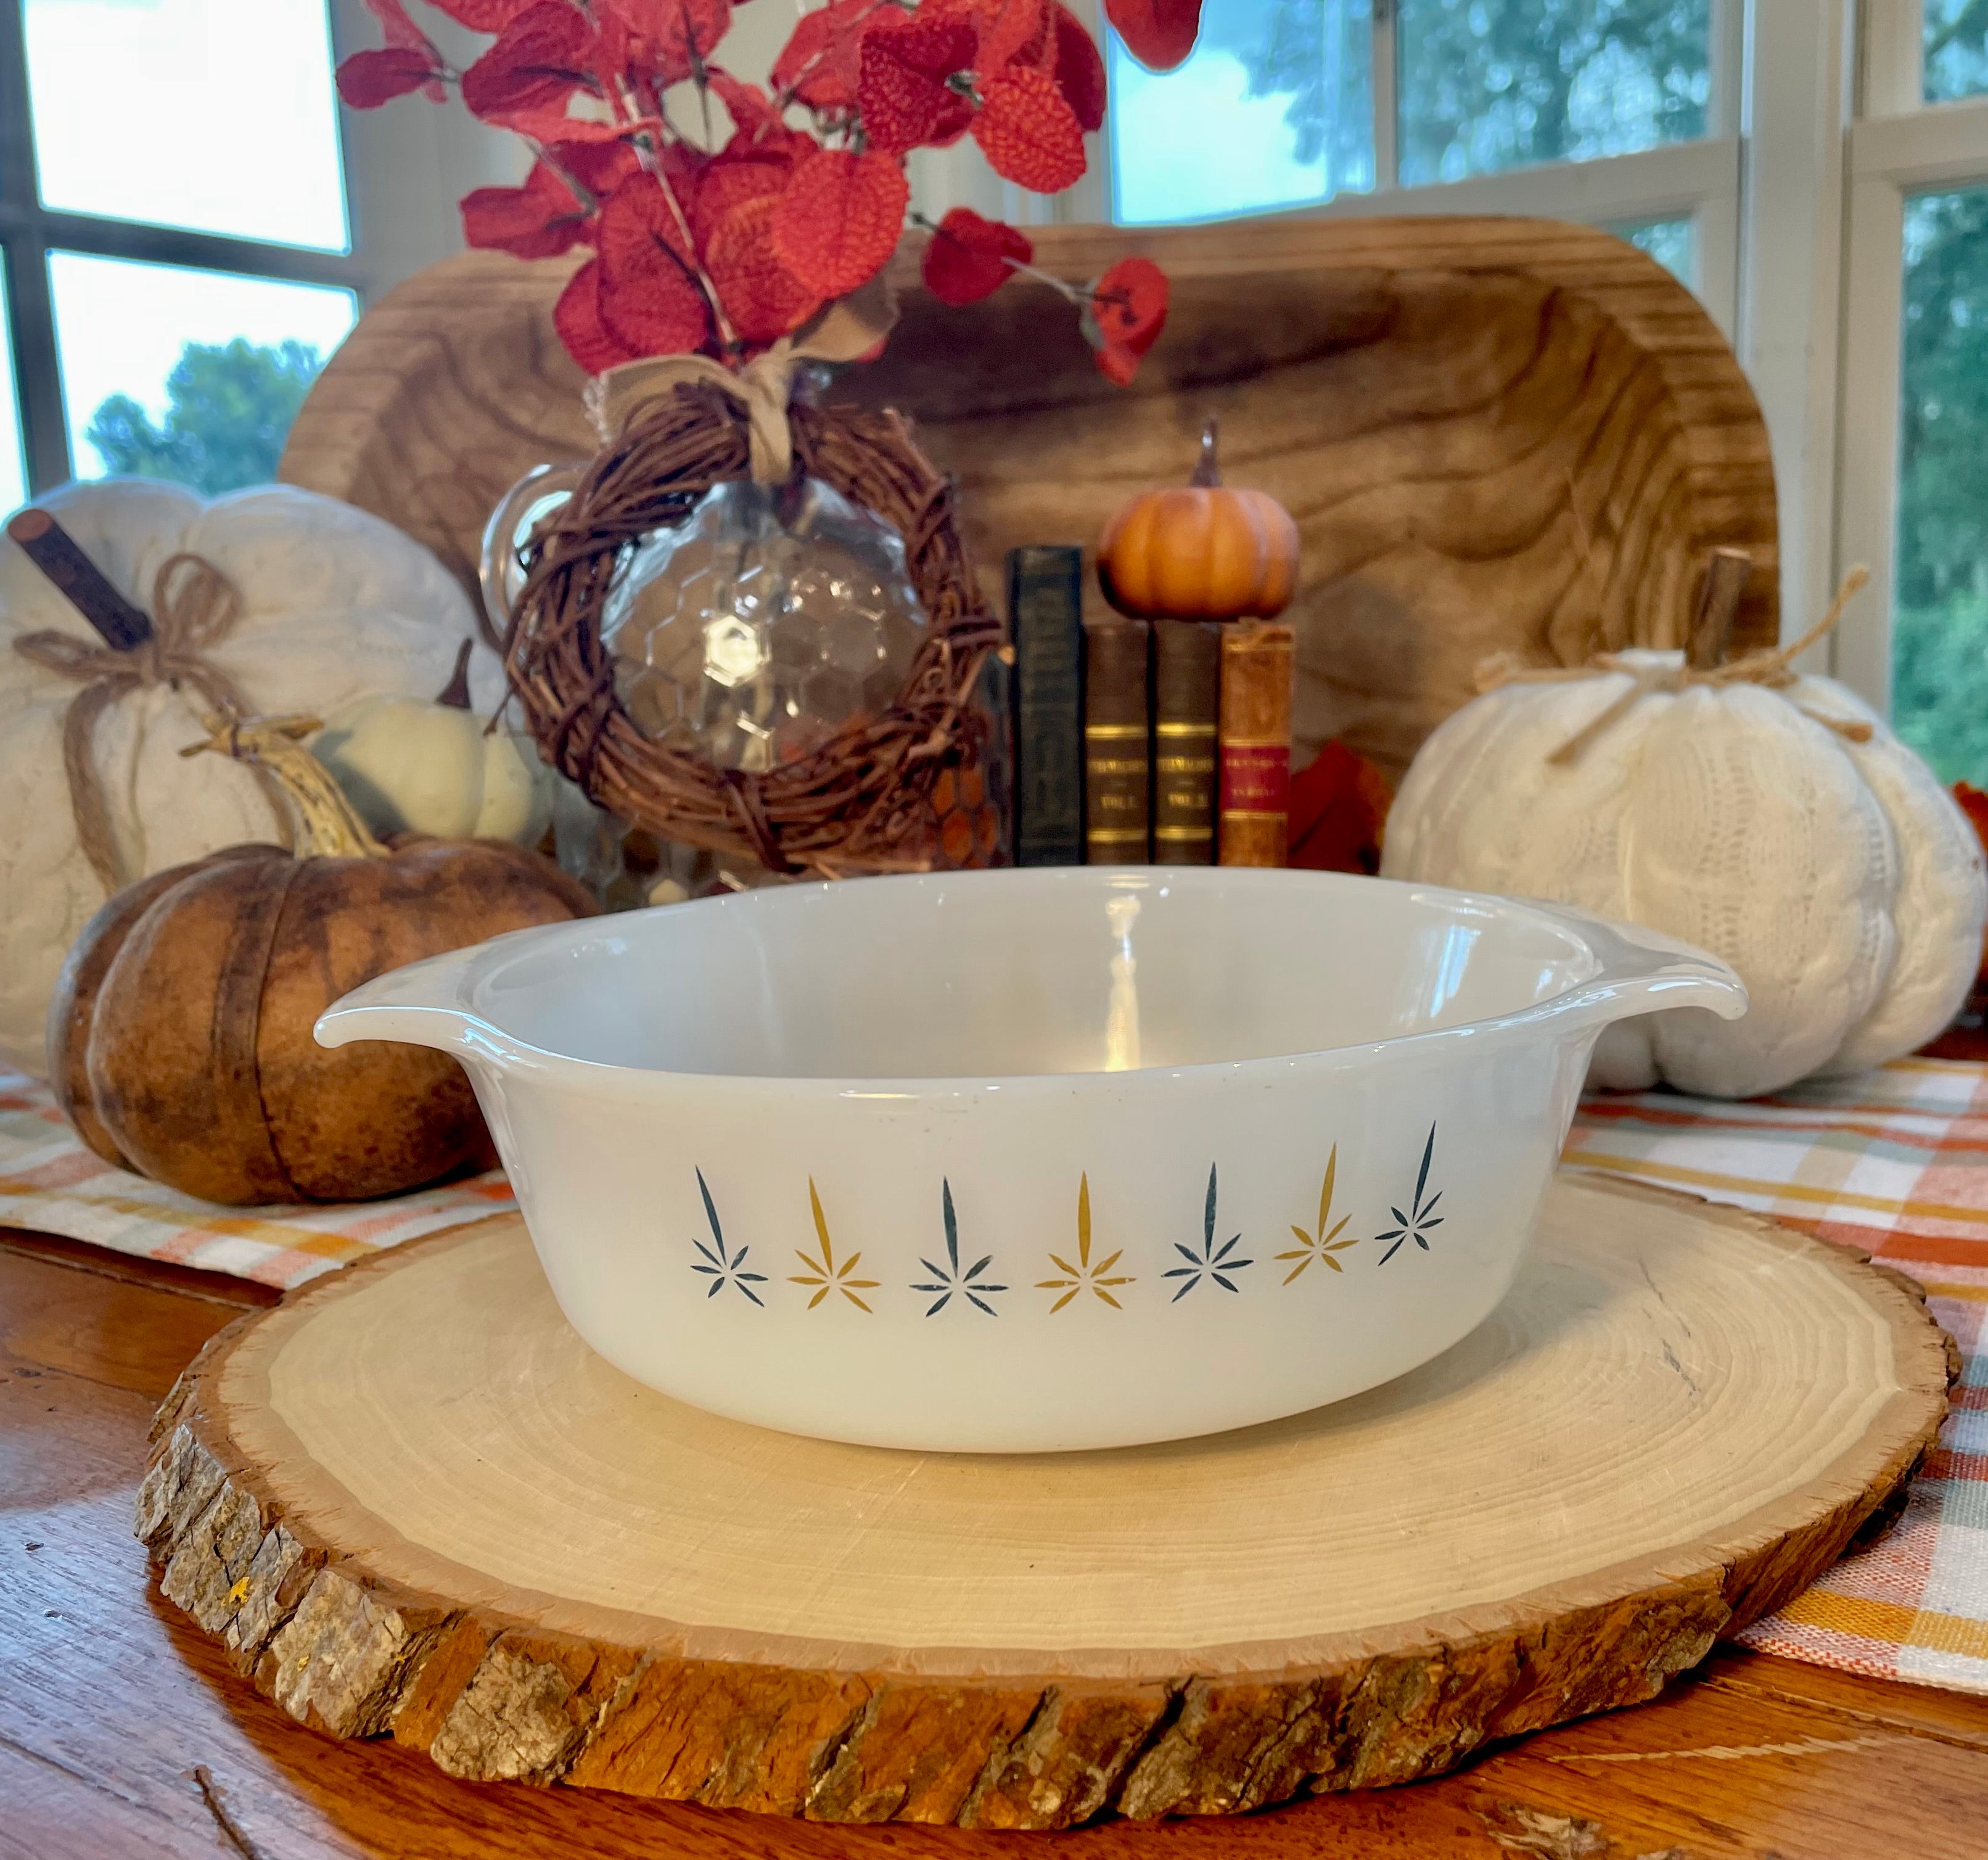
(1013, 974)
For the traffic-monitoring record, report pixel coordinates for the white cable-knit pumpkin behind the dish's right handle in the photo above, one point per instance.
(1836, 876)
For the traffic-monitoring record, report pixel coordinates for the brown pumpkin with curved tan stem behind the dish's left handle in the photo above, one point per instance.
(180, 1039)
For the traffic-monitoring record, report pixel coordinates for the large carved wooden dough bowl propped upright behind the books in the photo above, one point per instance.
(1496, 435)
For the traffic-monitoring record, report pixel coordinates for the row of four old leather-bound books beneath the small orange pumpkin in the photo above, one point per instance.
(1142, 741)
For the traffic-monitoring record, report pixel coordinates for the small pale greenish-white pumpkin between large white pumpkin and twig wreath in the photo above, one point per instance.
(438, 769)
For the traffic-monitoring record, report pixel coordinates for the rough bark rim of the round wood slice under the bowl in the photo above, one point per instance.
(478, 1678)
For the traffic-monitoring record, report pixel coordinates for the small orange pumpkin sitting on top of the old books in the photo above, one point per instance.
(1202, 554)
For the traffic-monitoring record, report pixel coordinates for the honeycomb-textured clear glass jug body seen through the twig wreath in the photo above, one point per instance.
(762, 624)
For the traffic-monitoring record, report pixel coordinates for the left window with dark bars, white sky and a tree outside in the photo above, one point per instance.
(172, 291)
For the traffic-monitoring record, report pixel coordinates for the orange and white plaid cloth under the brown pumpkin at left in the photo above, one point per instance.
(51, 1183)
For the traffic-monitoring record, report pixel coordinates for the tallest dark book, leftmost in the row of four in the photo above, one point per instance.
(1047, 626)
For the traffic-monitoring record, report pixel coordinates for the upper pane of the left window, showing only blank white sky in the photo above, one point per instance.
(242, 130)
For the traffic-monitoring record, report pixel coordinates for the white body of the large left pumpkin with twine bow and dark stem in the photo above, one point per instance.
(337, 606)
